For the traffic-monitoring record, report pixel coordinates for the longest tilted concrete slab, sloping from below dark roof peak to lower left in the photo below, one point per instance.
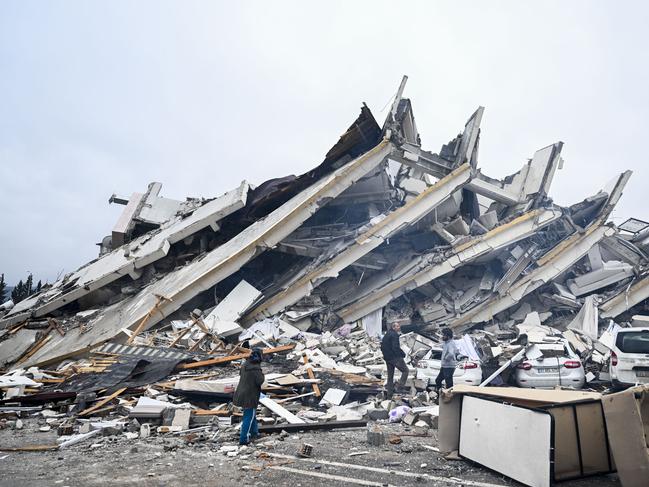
(185, 283)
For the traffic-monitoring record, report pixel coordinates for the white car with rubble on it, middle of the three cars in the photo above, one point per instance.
(558, 365)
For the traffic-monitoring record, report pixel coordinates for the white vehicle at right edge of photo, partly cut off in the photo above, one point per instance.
(629, 363)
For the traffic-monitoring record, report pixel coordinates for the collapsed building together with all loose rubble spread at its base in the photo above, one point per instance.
(145, 339)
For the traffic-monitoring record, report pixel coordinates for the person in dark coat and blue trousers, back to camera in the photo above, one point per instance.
(247, 395)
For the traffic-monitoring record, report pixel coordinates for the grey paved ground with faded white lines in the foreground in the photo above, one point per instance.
(340, 457)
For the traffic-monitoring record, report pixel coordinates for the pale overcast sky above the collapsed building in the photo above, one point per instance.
(103, 97)
